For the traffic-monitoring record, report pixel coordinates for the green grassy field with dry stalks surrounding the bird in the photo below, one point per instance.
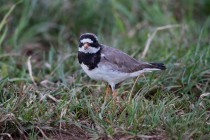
(44, 94)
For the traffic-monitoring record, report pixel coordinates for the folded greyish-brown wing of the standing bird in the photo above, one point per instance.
(121, 61)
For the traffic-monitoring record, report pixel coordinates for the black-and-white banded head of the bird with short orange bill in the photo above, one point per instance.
(88, 43)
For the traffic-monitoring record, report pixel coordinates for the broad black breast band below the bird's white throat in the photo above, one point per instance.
(91, 60)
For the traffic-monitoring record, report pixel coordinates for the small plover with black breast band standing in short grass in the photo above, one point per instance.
(103, 63)
